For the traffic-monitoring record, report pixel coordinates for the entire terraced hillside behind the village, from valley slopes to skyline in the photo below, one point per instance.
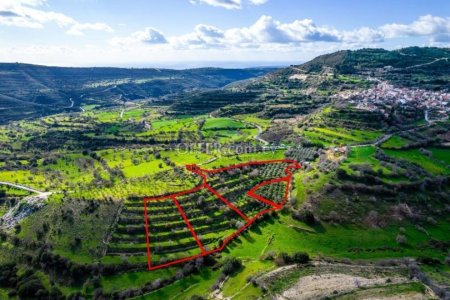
(301, 89)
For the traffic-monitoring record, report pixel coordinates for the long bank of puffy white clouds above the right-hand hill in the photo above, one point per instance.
(267, 32)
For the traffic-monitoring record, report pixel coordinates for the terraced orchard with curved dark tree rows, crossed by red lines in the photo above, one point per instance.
(197, 222)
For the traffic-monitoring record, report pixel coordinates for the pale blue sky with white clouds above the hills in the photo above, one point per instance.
(186, 33)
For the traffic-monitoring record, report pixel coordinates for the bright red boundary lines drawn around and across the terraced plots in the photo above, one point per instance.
(202, 173)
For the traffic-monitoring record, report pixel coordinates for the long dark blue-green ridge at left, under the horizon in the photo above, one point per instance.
(30, 91)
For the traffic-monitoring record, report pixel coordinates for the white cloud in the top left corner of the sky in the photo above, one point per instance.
(30, 14)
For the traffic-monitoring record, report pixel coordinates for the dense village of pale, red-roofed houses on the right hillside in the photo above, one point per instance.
(385, 95)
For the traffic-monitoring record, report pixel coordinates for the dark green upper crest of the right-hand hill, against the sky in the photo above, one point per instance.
(425, 67)
